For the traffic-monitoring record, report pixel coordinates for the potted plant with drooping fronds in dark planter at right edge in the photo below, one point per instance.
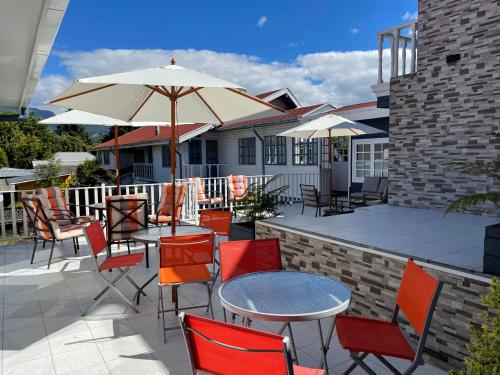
(491, 259)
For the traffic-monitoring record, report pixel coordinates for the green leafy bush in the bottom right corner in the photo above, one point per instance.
(484, 350)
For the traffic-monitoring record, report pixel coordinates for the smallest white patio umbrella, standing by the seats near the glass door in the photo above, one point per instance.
(329, 126)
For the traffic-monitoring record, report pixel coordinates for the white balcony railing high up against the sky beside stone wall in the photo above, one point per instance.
(402, 38)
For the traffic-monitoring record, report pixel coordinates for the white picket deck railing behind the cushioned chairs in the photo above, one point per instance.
(14, 220)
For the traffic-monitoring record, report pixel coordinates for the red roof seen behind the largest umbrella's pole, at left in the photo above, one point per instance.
(147, 134)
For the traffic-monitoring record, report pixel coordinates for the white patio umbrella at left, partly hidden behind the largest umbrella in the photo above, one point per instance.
(76, 117)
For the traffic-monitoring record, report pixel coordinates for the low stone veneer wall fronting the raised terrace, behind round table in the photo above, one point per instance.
(374, 279)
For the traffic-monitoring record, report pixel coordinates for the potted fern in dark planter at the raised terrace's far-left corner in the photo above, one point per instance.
(260, 202)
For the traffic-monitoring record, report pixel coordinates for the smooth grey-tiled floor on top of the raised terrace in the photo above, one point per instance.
(456, 239)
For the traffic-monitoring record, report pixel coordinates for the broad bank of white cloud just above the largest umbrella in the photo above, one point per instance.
(325, 77)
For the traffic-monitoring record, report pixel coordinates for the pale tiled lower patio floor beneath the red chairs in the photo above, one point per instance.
(43, 332)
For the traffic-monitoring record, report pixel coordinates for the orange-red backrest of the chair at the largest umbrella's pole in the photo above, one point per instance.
(186, 250)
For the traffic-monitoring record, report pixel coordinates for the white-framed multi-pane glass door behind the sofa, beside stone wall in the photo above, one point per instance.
(370, 158)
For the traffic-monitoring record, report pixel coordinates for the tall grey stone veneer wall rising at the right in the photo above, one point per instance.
(446, 112)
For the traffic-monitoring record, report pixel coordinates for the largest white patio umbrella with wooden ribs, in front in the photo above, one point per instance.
(166, 93)
